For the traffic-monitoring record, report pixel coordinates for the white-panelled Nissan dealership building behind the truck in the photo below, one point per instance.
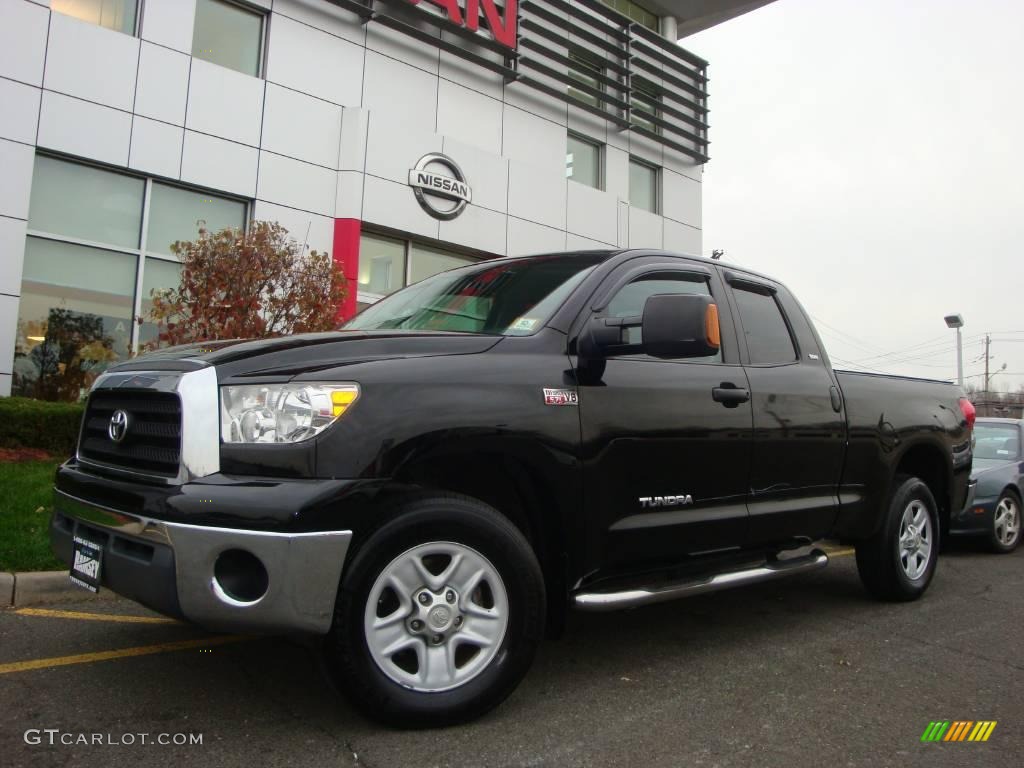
(402, 137)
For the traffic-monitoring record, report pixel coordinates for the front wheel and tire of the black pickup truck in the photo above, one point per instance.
(420, 638)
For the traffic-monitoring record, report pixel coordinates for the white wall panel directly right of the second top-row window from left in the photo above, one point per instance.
(315, 63)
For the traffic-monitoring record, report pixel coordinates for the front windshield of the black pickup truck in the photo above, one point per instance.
(509, 298)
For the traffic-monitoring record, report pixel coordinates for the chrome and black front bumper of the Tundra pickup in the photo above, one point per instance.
(174, 568)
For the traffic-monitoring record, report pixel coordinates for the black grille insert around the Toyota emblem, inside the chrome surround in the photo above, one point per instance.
(152, 444)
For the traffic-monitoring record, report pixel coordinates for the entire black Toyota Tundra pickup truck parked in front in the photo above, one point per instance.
(434, 487)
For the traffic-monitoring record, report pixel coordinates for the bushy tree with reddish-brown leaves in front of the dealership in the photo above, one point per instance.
(254, 284)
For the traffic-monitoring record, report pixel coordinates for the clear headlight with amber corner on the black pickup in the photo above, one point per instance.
(282, 413)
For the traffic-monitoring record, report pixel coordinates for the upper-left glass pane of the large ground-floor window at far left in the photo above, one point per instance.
(79, 201)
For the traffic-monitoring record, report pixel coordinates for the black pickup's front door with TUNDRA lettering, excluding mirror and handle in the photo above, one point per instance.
(666, 466)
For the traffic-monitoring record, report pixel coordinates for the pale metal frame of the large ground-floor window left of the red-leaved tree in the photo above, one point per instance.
(141, 253)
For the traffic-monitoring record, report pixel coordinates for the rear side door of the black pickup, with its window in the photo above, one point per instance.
(799, 425)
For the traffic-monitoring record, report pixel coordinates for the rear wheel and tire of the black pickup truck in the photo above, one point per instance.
(890, 570)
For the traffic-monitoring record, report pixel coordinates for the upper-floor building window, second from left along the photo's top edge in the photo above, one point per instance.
(229, 35)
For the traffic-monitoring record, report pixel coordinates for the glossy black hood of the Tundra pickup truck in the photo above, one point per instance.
(289, 356)
